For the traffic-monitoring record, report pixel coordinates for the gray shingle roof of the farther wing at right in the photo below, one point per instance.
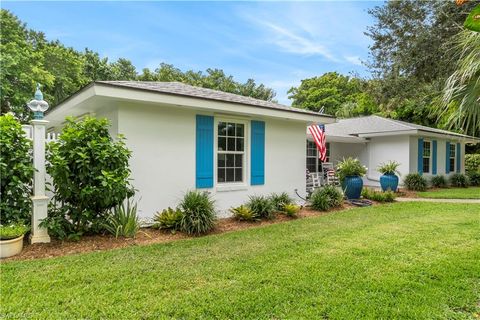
(377, 124)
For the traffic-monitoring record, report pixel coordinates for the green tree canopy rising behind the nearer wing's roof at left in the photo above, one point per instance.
(27, 58)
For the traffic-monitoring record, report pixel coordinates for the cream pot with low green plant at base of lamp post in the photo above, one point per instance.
(11, 239)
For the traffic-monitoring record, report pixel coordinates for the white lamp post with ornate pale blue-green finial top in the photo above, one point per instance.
(39, 199)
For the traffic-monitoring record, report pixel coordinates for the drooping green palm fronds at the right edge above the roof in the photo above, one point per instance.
(461, 95)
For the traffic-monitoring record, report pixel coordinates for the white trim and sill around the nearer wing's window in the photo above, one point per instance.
(231, 186)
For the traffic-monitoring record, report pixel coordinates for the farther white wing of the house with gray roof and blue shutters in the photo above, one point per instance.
(375, 140)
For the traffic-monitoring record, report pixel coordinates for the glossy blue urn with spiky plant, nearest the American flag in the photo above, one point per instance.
(350, 172)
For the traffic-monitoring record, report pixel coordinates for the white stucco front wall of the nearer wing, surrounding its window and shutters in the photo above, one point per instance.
(162, 139)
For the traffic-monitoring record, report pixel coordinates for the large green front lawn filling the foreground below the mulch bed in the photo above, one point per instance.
(402, 260)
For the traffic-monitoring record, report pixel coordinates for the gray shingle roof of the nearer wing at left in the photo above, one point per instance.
(182, 89)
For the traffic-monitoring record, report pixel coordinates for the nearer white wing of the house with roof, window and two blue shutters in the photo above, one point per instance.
(184, 137)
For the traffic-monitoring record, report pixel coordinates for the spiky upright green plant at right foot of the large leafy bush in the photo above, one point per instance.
(123, 220)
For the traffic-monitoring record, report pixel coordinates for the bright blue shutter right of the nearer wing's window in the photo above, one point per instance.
(257, 153)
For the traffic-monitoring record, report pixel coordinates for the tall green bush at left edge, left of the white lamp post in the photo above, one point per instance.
(16, 172)
